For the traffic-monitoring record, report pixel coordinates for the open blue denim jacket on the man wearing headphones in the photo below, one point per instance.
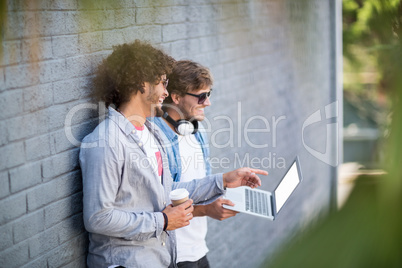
(172, 148)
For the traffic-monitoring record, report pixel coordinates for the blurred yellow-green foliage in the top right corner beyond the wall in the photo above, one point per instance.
(375, 27)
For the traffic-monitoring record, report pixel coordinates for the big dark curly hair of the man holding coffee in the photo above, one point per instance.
(124, 72)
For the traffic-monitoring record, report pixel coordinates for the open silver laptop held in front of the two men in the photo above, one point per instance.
(263, 203)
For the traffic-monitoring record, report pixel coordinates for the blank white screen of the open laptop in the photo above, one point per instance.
(287, 186)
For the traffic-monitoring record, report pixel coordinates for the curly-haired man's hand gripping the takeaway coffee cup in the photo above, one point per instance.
(179, 216)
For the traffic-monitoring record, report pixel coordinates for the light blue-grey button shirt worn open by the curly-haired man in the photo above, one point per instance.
(124, 197)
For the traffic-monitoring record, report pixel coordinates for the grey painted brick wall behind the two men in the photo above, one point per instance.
(273, 63)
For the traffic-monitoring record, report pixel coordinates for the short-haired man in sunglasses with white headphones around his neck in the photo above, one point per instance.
(189, 91)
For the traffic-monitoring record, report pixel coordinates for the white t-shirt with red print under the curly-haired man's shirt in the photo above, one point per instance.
(151, 149)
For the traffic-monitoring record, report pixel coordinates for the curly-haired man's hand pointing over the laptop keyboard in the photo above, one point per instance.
(243, 177)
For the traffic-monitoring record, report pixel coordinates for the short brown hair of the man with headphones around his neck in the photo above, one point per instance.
(187, 76)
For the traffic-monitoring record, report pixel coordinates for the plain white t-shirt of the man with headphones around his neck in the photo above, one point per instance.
(191, 245)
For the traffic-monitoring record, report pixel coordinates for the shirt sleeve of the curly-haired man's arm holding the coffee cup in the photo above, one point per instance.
(102, 174)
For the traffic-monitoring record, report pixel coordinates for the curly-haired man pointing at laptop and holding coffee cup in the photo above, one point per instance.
(126, 178)
